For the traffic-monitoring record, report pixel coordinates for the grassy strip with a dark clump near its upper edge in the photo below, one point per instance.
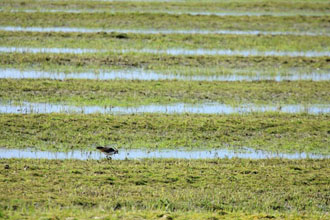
(113, 41)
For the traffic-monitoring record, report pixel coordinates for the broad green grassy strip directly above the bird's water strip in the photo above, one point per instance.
(272, 132)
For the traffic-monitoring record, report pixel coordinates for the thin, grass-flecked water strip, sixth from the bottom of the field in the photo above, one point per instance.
(193, 13)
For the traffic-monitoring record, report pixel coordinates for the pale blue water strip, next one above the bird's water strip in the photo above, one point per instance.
(177, 108)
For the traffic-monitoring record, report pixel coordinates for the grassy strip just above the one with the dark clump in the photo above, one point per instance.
(165, 21)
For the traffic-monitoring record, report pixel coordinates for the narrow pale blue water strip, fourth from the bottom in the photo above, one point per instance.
(174, 52)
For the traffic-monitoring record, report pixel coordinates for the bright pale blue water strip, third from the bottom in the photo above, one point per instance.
(141, 74)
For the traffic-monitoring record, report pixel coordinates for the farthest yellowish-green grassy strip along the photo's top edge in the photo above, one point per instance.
(274, 6)
